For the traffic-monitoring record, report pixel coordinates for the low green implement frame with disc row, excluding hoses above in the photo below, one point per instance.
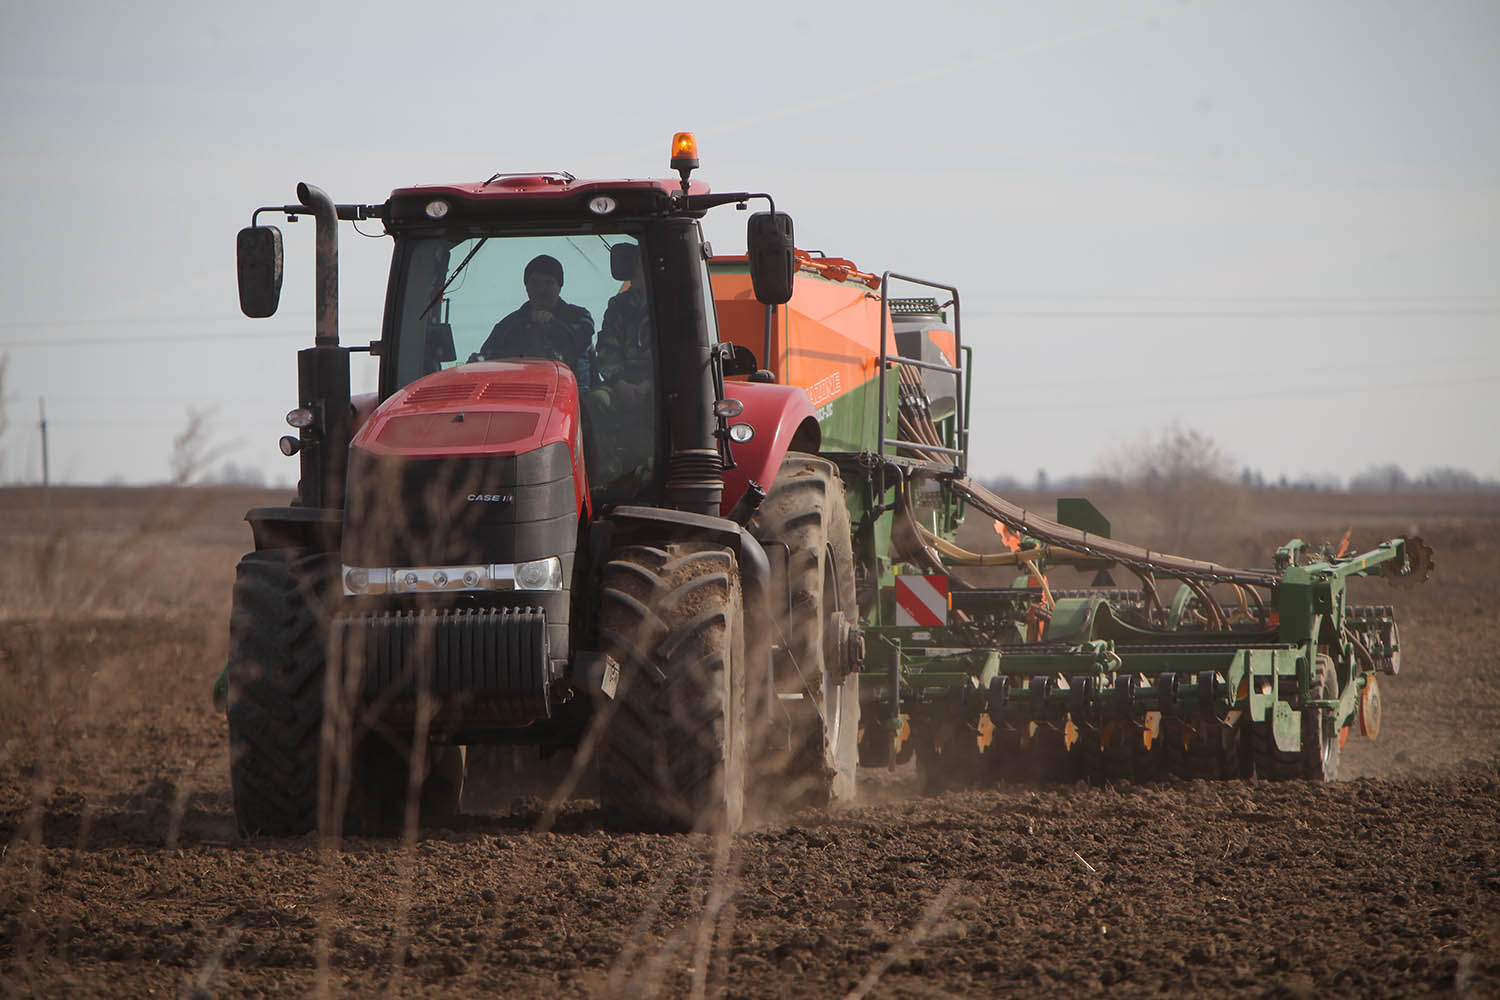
(1115, 686)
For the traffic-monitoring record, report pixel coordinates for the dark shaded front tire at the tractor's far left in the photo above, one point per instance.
(278, 627)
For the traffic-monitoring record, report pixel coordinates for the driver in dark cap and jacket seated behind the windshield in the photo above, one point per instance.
(545, 326)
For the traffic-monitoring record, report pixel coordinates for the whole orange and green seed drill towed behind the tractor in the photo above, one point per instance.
(1027, 683)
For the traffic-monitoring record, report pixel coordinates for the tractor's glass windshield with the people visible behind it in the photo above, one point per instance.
(580, 301)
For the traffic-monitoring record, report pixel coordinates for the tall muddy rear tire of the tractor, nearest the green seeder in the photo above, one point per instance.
(805, 530)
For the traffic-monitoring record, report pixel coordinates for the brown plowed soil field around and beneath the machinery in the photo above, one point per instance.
(122, 873)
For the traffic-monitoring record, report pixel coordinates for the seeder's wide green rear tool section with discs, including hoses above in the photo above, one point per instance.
(1243, 672)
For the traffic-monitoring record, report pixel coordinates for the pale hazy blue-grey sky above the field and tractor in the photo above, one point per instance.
(1274, 223)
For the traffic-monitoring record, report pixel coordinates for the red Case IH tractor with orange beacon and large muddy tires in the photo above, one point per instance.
(526, 536)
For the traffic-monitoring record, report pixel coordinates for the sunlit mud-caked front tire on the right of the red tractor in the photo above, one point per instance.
(673, 753)
